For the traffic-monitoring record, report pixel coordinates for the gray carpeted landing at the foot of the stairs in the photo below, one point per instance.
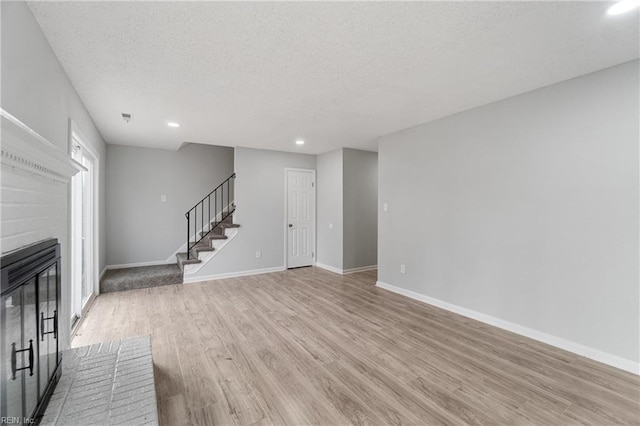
(141, 277)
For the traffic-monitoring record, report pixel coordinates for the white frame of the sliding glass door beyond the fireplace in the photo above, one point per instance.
(77, 137)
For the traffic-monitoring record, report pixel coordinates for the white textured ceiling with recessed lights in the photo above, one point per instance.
(336, 74)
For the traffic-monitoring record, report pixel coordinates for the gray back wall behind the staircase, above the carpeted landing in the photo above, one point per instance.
(141, 227)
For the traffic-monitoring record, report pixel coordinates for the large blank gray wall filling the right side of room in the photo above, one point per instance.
(525, 210)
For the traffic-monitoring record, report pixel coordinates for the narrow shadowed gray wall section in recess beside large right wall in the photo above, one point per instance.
(360, 170)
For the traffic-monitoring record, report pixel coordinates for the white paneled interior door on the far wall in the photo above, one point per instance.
(301, 208)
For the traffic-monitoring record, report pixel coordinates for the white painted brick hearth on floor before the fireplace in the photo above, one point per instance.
(107, 383)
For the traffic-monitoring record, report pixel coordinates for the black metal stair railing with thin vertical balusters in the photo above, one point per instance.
(212, 222)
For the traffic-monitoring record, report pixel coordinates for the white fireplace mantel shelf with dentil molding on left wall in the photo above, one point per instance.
(25, 149)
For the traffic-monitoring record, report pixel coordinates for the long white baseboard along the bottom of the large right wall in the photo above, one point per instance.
(567, 345)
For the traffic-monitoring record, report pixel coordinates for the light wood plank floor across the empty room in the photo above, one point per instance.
(307, 346)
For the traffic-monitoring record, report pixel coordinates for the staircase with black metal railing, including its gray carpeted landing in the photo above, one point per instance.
(209, 228)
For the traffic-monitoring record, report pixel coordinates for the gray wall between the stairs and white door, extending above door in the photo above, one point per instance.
(260, 211)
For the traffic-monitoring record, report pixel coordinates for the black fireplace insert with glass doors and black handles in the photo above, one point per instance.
(29, 346)
